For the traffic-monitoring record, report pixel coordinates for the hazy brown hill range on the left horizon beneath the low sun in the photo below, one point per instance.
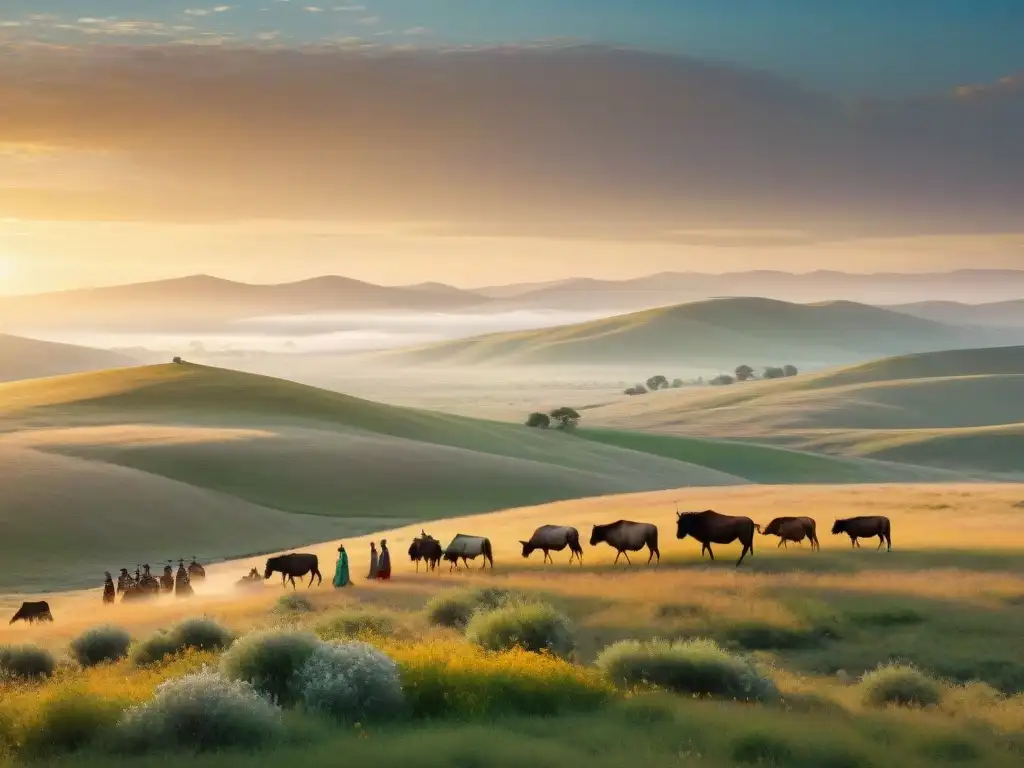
(202, 303)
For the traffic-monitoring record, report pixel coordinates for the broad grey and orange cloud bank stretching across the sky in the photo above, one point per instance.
(559, 136)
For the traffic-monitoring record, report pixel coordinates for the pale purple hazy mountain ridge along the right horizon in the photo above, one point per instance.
(672, 288)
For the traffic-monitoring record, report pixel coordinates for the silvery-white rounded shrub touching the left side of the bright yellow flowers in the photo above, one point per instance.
(352, 684)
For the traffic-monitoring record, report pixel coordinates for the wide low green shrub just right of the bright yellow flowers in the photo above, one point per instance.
(697, 667)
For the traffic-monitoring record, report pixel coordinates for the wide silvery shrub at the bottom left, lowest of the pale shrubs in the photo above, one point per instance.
(199, 713)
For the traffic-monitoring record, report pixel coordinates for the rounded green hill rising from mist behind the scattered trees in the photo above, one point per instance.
(724, 333)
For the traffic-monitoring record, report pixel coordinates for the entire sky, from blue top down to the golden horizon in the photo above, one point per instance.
(478, 142)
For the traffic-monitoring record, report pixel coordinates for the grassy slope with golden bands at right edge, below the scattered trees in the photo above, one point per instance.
(959, 410)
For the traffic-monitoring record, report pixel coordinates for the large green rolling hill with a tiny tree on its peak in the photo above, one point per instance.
(156, 463)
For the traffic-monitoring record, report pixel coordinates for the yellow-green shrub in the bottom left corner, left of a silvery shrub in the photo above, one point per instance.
(70, 721)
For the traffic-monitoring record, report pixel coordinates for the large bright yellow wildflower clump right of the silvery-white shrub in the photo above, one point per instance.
(442, 679)
